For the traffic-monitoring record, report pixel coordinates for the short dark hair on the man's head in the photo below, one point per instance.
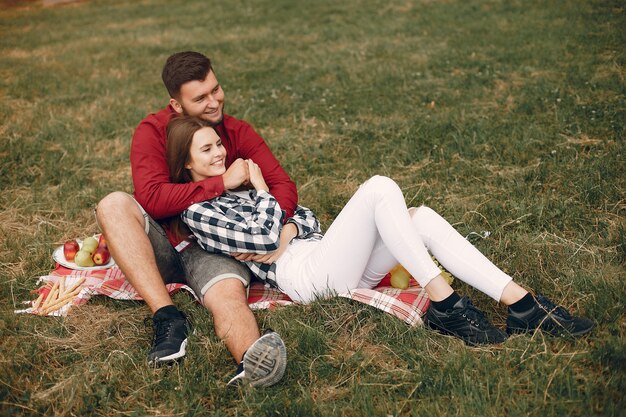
(183, 67)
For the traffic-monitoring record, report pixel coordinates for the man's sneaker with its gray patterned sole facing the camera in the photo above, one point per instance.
(264, 363)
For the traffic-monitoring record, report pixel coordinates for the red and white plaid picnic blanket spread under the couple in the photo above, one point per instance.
(408, 305)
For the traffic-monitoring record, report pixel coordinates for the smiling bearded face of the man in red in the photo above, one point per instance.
(204, 99)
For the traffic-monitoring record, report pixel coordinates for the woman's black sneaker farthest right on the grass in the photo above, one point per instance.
(550, 318)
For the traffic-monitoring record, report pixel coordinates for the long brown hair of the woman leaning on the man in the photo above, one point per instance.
(180, 131)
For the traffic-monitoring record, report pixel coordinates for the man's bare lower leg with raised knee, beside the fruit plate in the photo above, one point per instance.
(122, 224)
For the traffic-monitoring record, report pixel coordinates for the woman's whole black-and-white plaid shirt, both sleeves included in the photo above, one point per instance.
(232, 223)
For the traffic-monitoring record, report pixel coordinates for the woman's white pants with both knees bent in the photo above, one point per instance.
(372, 234)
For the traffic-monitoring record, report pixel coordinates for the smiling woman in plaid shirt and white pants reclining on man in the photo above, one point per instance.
(373, 232)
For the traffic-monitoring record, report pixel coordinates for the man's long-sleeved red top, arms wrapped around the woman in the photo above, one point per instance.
(162, 199)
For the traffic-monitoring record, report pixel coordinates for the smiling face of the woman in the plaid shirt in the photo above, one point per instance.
(207, 155)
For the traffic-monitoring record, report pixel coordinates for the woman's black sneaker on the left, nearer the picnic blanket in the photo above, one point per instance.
(465, 322)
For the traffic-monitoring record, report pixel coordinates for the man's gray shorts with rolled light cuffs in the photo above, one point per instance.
(193, 266)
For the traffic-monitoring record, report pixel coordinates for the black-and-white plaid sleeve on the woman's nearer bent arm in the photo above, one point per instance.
(230, 223)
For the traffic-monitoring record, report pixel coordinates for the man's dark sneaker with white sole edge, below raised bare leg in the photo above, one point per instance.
(169, 340)
